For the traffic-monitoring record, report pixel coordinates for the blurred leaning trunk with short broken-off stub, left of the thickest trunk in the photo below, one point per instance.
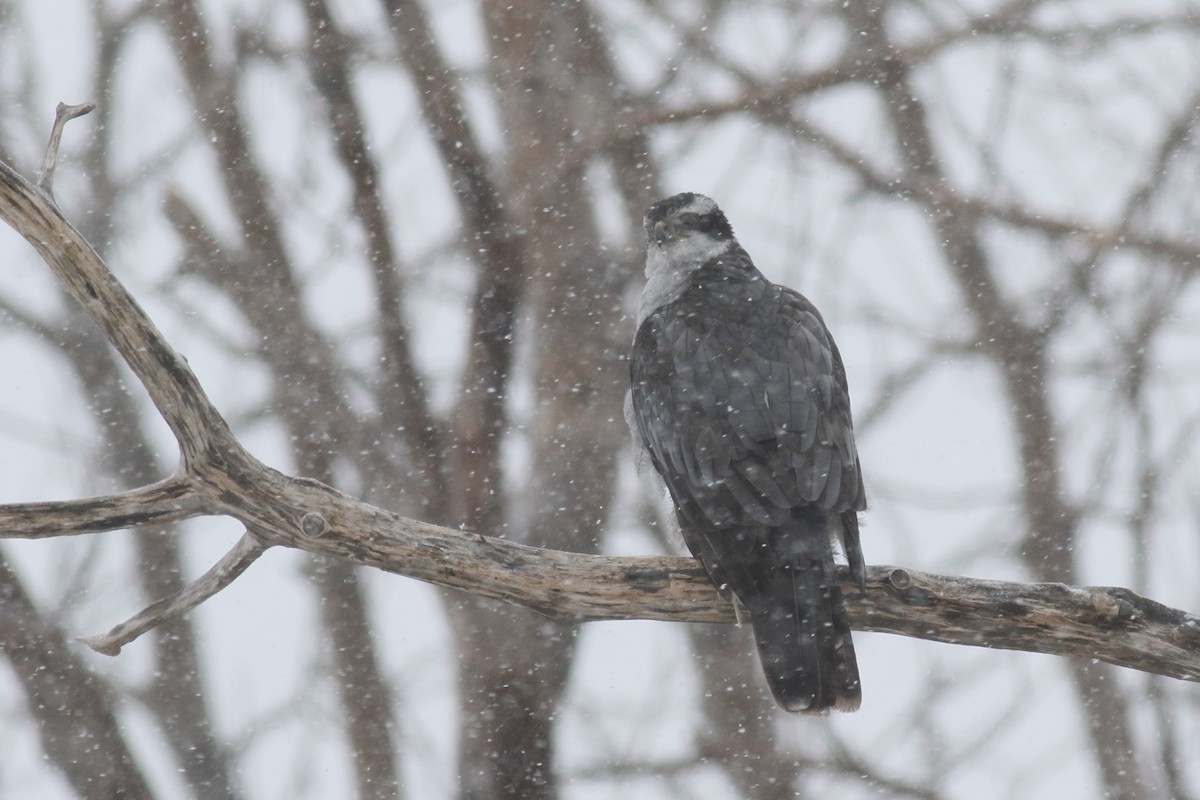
(309, 398)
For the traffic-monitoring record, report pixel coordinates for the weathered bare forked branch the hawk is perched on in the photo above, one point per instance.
(1113, 625)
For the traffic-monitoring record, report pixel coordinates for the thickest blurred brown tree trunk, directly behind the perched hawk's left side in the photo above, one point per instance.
(514, 665)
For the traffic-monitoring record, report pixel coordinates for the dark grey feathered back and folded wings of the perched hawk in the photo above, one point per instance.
(740, 390)
